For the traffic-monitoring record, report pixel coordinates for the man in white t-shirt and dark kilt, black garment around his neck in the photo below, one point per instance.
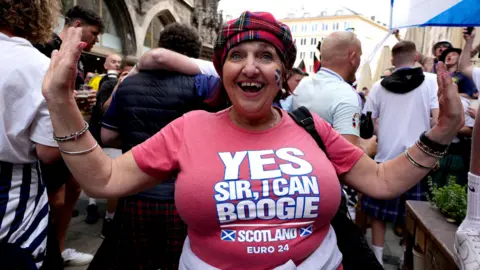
(404, 103)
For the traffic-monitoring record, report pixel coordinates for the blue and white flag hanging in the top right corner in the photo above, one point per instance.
(418, 13)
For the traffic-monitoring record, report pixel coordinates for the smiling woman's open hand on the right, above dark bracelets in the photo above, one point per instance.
(451, 114)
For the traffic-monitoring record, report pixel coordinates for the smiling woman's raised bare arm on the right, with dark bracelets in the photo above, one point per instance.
(392, 178)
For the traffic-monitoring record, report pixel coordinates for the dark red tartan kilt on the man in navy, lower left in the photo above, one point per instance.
(148, 234)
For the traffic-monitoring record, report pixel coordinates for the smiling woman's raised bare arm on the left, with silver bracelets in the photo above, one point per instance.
(99, 175)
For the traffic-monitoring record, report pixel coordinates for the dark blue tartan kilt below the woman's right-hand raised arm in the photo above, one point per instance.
(394, 210)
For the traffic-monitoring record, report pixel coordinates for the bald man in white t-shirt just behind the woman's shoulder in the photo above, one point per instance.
(329, 94)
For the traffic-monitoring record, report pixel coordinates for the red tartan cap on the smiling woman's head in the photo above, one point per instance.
(255, 26)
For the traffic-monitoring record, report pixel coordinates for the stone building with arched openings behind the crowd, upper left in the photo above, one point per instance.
(133, 26)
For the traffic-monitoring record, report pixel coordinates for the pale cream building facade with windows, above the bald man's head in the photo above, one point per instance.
(308, 31)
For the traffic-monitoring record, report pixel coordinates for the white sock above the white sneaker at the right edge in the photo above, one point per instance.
(472, 220)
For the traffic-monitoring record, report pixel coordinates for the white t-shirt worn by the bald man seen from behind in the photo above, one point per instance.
(329, 96)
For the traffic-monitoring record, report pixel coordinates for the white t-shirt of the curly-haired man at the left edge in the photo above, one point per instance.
(24, 117)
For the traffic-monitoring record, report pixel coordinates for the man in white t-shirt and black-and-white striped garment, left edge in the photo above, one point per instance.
(26, 135)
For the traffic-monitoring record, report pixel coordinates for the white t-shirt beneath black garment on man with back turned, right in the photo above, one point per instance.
(402, 117)
